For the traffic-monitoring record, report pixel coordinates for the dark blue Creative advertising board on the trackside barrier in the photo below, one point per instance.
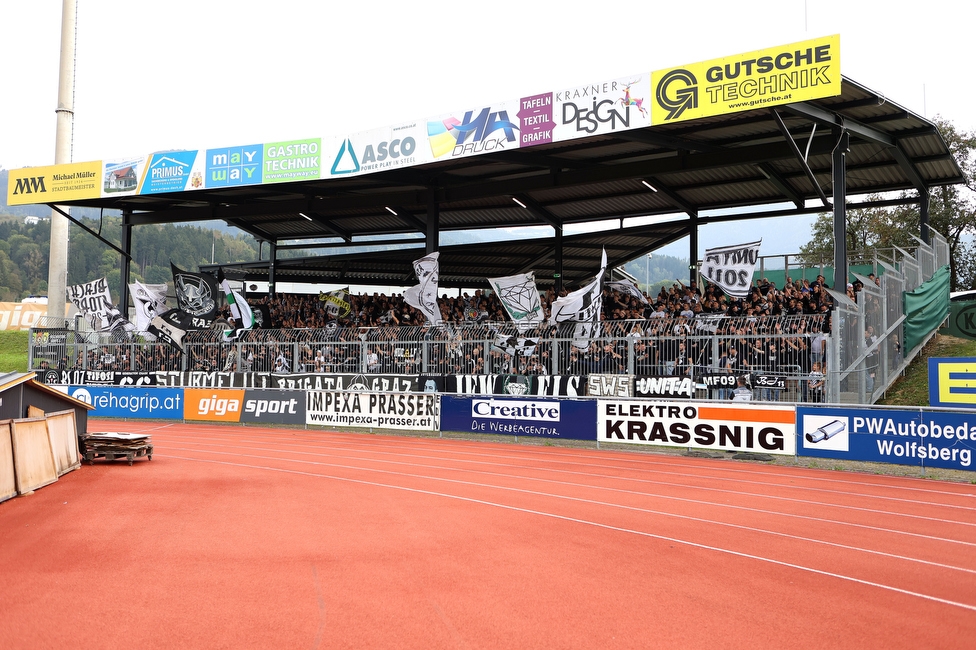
(520, 416)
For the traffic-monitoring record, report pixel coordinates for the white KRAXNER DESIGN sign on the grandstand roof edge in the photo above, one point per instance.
(604, 107)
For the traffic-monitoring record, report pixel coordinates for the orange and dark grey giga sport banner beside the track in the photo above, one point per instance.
(262, 406)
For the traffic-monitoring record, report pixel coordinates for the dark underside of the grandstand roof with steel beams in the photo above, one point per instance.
(751, 161)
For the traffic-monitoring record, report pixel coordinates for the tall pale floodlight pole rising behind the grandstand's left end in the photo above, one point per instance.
(57, 278)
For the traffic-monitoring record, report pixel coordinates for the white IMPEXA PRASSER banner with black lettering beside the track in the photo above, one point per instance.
(412, 411)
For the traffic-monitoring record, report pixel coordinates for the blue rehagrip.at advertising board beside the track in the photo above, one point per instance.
(131, 402)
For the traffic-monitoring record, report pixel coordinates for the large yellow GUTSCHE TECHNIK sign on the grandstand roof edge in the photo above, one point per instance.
(777, 75)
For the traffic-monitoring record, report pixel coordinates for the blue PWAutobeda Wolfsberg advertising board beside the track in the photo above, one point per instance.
(909, 437)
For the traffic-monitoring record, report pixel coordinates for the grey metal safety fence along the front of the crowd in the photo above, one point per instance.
(774, 354)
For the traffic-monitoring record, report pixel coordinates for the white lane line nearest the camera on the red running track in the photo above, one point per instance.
(606, 527)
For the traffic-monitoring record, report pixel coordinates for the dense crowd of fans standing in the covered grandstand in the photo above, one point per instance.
(679, 332)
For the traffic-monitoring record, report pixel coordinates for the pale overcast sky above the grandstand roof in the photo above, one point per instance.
(192, 74)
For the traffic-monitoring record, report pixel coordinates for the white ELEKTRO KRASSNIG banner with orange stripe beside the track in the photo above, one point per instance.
(764, 429)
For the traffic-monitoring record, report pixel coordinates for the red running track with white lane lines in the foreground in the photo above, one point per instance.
(246, 537)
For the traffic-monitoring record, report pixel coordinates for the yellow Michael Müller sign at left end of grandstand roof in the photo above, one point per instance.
(54, 183)
